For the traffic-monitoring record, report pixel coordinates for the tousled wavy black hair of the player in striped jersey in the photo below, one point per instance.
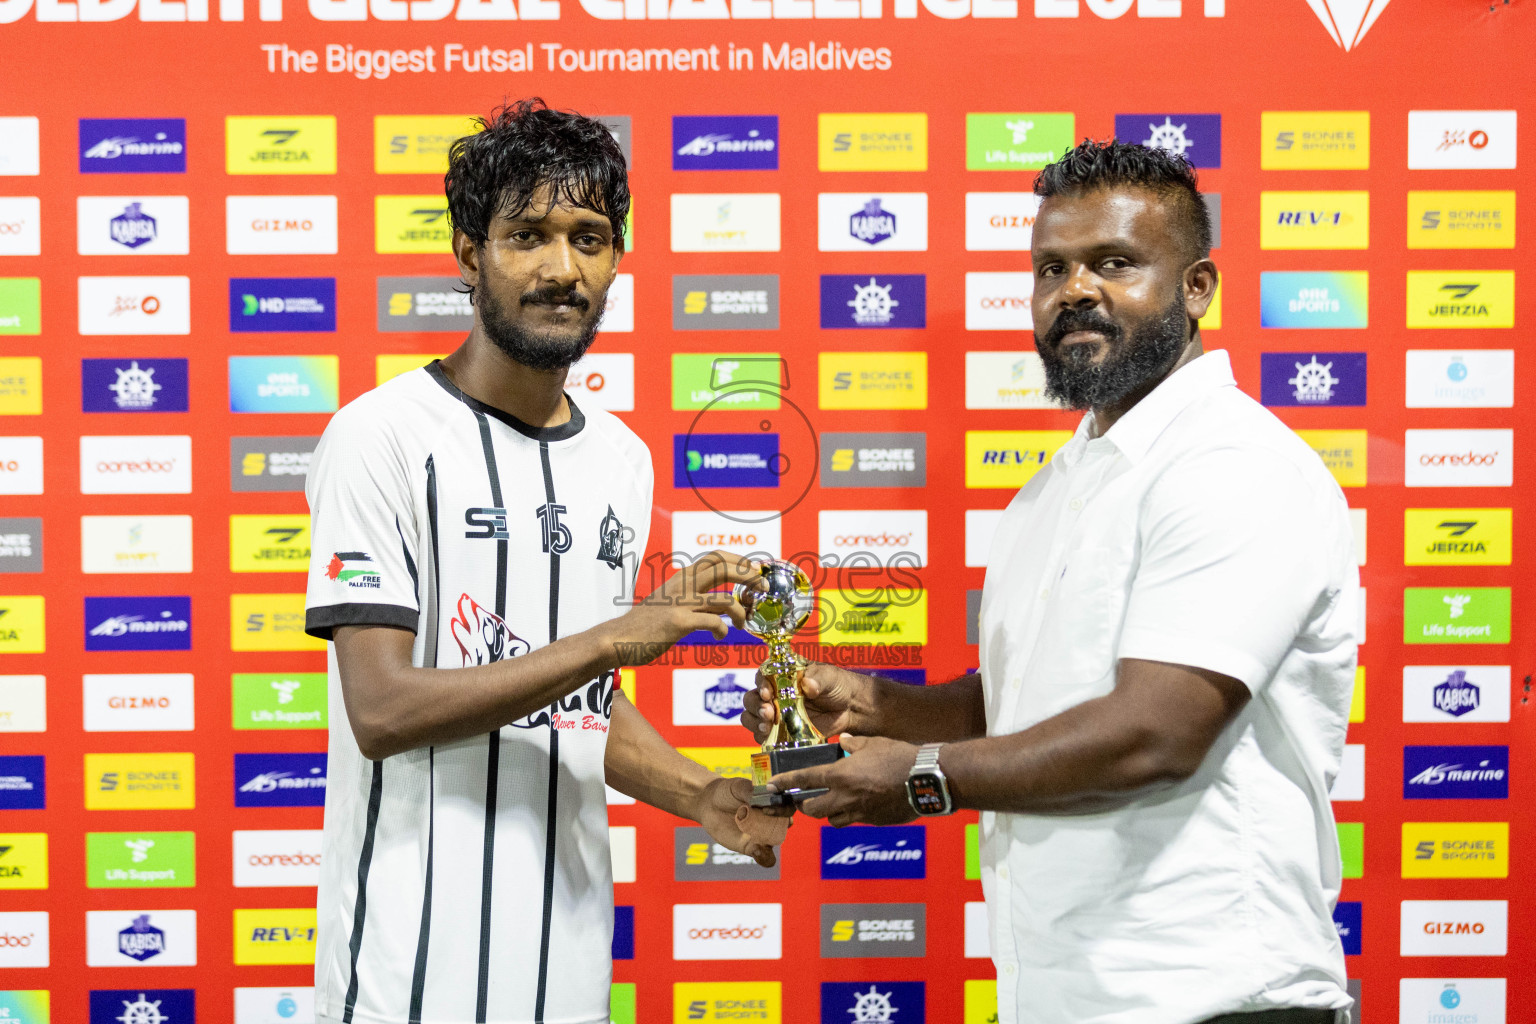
(525, 147)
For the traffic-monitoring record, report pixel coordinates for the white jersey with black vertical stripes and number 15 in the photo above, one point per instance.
(471, 882)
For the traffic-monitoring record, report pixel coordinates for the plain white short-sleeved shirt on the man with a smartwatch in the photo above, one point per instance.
(1197, 530)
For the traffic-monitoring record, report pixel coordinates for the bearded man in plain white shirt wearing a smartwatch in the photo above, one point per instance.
(1168, 652)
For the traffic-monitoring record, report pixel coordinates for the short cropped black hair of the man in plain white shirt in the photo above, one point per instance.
(1113, 165)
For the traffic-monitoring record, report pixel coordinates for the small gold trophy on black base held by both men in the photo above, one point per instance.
(776, 607)
